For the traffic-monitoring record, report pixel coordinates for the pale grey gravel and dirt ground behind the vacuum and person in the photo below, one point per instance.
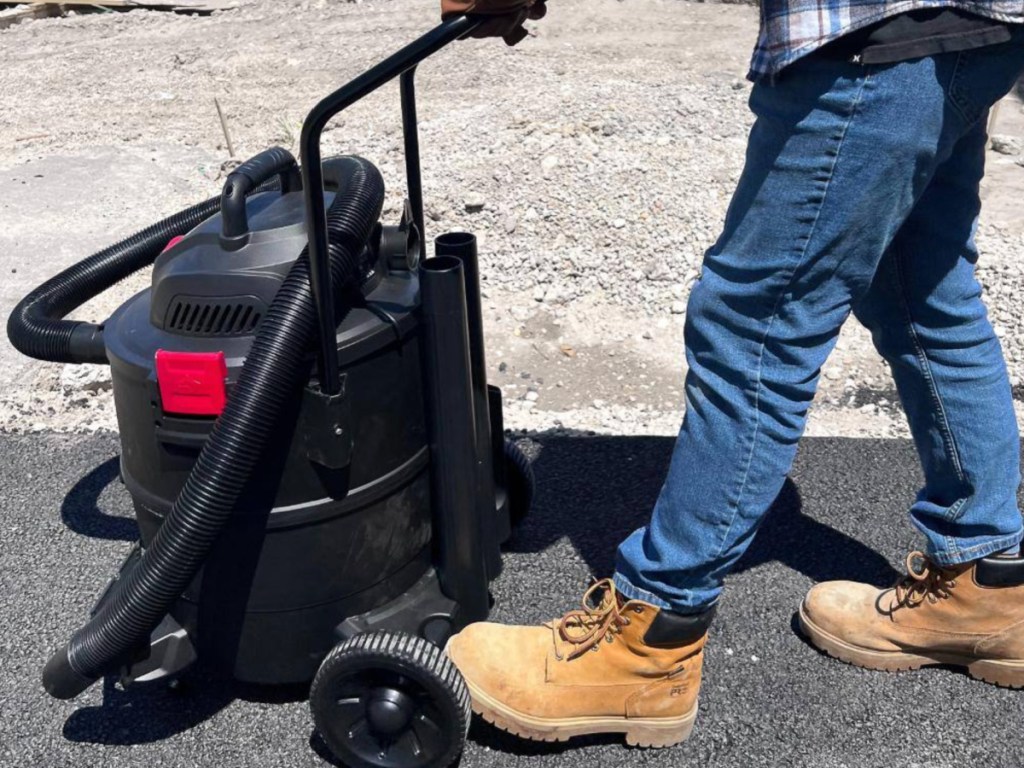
(595, 161)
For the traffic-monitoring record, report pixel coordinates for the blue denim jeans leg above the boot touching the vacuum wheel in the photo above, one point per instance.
(838, 159)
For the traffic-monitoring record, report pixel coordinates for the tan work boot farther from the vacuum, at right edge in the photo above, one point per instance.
(968, 616)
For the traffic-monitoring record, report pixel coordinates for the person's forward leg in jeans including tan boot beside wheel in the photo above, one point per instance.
(838, 160)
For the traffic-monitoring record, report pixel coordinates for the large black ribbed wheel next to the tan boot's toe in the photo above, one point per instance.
(383, 701)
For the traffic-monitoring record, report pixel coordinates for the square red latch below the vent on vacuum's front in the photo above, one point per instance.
(192, 383)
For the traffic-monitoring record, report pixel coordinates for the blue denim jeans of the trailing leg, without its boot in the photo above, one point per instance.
(928, 321)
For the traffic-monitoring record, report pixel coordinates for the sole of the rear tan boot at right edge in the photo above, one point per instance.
(1005, 674)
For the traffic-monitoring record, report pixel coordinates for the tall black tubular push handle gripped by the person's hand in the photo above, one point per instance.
(400, 64)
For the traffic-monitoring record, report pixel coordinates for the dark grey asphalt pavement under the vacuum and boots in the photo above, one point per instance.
(769, 699)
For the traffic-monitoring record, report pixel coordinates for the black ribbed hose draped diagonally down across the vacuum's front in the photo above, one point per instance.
(276, 370)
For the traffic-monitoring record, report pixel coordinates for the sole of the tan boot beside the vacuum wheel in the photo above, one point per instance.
(645, 733)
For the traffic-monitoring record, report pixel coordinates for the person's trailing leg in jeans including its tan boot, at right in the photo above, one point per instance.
(962, 603)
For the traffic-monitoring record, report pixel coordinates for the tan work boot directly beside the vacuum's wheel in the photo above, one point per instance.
(615, 667)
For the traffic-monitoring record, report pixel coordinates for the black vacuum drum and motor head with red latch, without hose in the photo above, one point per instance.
(314, 541)
